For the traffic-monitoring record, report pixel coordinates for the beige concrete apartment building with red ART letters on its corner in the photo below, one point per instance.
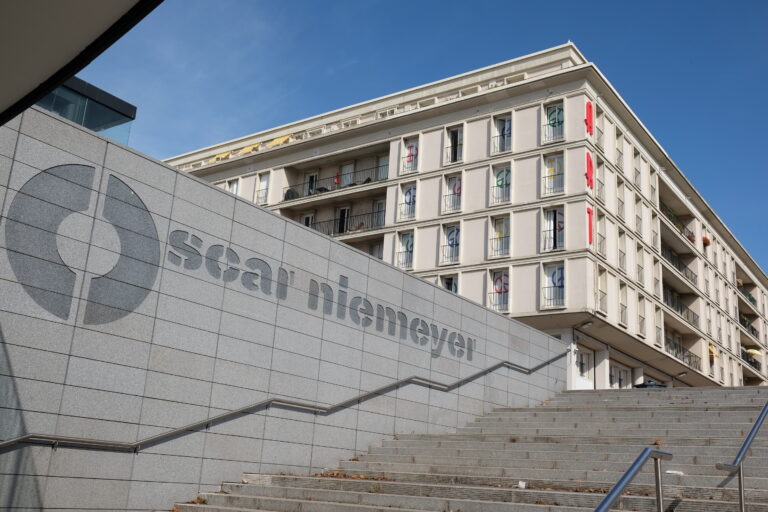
(530, 187)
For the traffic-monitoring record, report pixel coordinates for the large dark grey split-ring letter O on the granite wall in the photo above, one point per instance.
(31, 230)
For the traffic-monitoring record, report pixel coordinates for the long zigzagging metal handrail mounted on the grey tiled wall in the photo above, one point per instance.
(98, 444)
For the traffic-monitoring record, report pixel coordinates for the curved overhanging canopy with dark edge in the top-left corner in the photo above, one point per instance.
(43, 43)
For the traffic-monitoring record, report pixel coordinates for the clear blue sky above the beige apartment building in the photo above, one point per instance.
(204, 71)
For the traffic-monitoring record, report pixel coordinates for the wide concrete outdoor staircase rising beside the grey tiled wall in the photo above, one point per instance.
(568, 452)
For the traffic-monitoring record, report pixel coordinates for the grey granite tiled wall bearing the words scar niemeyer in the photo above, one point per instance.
(135, 299)
